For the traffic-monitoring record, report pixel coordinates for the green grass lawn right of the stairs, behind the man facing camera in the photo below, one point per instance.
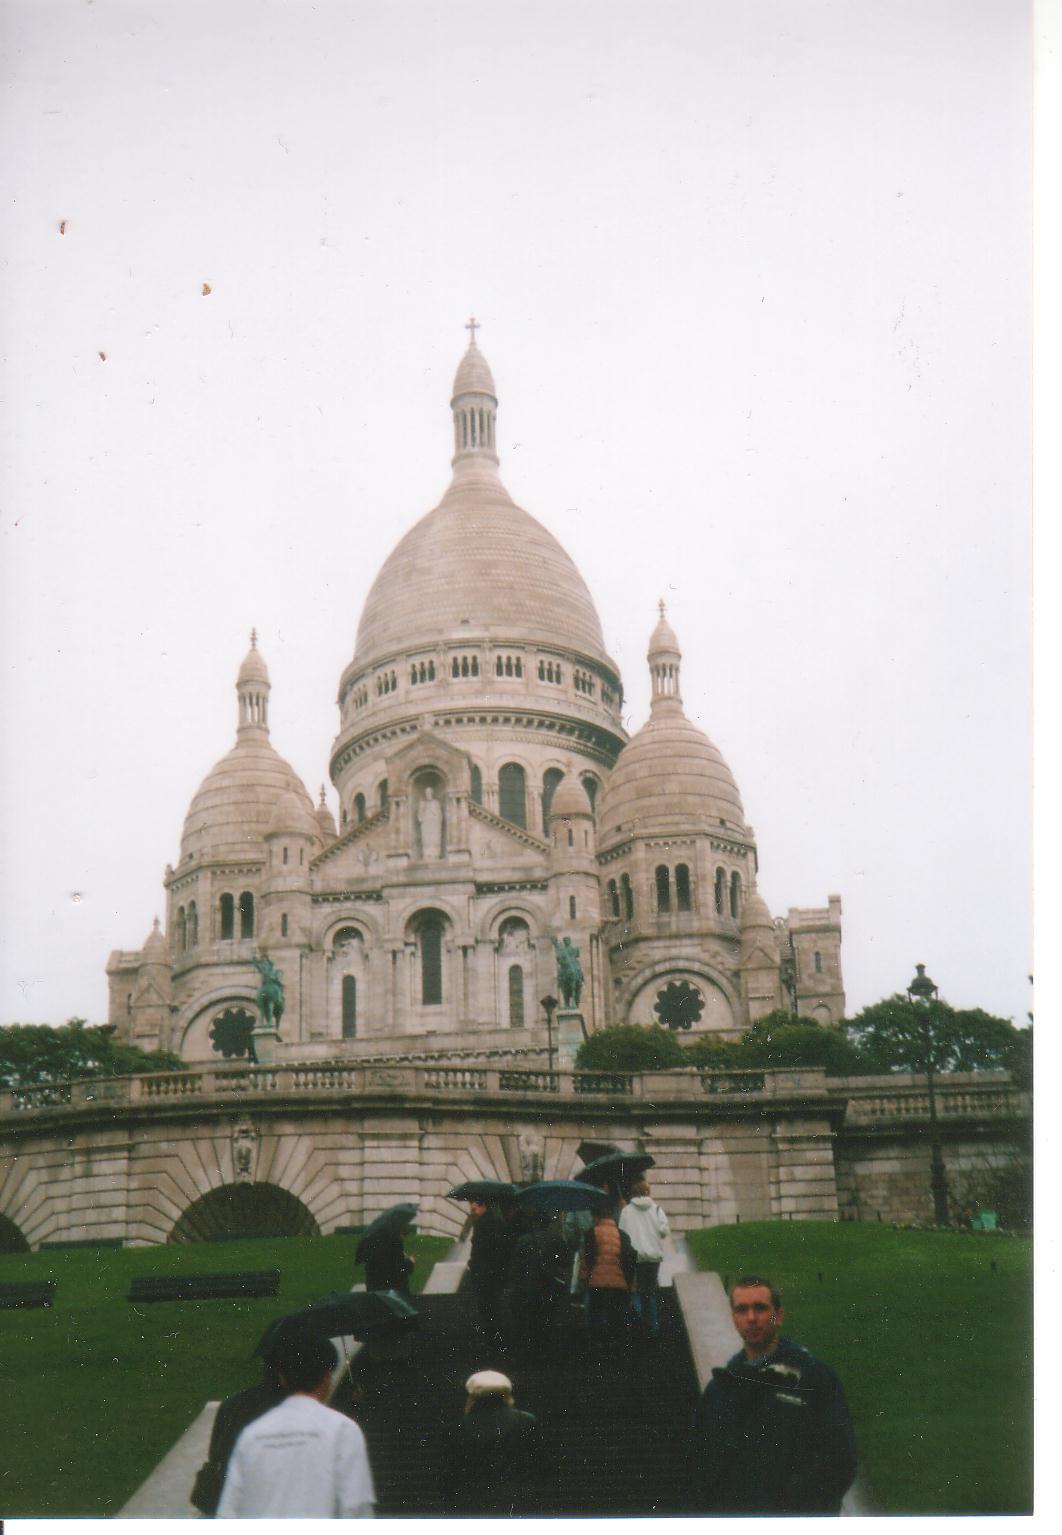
(932, 1336)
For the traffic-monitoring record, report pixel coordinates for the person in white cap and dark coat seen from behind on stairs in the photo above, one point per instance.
(493, 1456)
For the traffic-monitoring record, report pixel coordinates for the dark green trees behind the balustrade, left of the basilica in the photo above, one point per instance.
(38, 1054)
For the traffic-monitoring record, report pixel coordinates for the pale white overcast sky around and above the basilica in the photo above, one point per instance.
(754, 286)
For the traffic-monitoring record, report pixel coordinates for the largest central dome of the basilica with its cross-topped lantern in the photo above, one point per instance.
(478, 566)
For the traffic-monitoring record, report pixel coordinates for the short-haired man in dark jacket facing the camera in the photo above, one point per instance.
(773, 1431)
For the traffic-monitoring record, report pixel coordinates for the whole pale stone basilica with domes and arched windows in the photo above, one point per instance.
(490, 807)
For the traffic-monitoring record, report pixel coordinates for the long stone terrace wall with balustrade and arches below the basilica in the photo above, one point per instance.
(139, 1157)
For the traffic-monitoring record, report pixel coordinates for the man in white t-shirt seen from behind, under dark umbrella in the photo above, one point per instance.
(302, 1459)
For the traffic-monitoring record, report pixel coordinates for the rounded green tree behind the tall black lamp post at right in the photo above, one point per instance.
(900, 1035)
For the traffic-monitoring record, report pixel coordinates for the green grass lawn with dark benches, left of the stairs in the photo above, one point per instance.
(99, 1390)
